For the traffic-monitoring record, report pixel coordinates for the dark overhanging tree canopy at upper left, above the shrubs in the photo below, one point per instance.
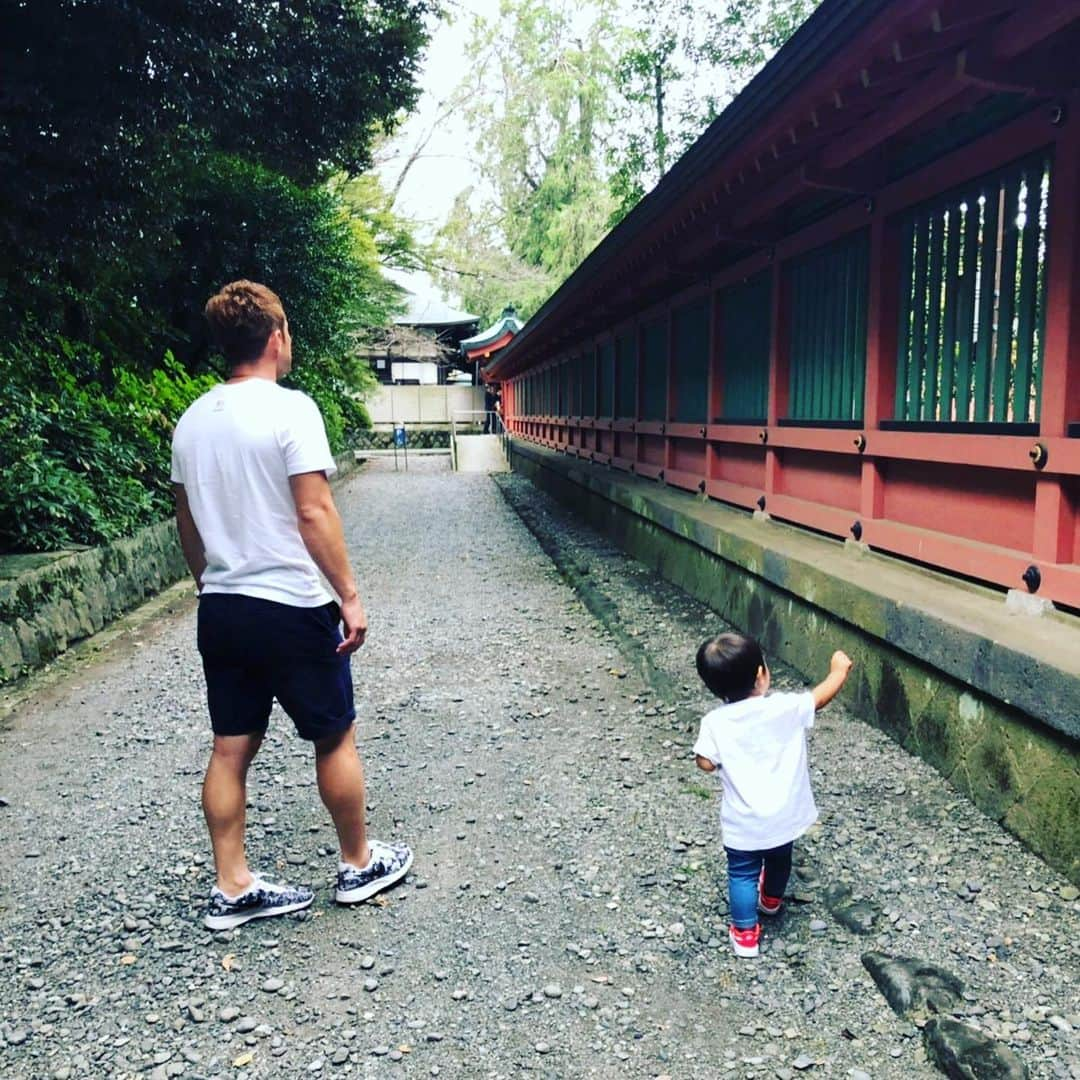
(133, 93)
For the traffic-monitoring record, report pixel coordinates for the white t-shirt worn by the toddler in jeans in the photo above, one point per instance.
(760, 746)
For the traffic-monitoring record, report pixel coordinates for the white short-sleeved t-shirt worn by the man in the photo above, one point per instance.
(234, 451)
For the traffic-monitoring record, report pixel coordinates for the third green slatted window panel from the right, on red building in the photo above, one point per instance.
(746, 341)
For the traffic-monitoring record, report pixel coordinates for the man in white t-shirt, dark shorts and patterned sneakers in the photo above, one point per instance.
(256, 519)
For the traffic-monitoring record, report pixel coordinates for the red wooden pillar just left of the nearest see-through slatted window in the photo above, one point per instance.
(883, 316)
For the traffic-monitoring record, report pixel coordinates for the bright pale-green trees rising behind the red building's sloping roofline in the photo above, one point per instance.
(586, 112)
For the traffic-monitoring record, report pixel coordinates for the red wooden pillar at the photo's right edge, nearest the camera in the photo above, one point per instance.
(1060, 398)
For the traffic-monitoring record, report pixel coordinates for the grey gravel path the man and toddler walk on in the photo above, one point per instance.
(566, 916)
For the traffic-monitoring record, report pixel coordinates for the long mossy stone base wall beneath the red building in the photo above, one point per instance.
(991, 700)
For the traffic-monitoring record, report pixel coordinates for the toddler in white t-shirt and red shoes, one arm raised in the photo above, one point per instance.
(758, 740)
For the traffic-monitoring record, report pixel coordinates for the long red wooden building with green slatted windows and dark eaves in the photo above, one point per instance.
(856, 301)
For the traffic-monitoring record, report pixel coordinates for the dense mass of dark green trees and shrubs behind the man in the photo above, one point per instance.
(163, 152)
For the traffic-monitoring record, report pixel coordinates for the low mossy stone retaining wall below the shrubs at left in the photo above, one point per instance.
(50, 602)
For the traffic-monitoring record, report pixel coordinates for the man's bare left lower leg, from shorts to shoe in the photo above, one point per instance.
(225, 799)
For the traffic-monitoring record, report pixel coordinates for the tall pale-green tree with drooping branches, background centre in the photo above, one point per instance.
(542, 130)
